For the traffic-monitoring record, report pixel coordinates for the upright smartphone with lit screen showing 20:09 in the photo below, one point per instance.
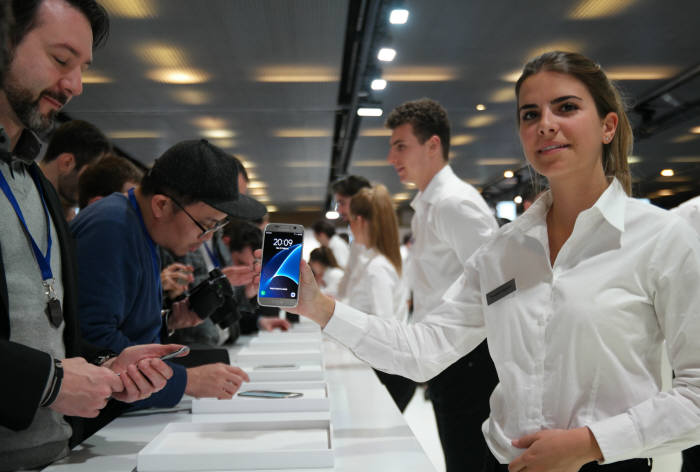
(279, 275)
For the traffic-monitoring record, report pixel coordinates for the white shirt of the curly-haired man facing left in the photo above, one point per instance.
(452, 221)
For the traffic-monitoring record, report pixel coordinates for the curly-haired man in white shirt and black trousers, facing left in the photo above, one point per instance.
(451, 221)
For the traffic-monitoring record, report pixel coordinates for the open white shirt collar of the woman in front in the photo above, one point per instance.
(610, 205)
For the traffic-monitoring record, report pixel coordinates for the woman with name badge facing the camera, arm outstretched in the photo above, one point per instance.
(576, 297)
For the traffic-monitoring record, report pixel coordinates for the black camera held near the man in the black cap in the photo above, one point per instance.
(213, 298)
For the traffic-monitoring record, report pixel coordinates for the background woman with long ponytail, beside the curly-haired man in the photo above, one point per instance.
(376, 288)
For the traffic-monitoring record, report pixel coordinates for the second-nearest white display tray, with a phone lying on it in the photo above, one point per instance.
(314, 398)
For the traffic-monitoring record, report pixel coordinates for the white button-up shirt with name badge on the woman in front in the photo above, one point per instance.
(576, 344)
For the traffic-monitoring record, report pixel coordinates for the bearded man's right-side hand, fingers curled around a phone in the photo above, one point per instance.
(141, 371)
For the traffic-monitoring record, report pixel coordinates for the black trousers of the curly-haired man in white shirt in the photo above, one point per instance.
(460, 396)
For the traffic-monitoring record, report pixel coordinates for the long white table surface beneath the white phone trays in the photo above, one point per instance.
(368, 431)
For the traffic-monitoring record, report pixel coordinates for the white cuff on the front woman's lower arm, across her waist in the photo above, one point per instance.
(617, 438)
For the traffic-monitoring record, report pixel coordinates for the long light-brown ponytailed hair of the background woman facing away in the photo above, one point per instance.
(375, 206)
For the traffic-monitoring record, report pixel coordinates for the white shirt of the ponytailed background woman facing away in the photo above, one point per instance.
(376, 288)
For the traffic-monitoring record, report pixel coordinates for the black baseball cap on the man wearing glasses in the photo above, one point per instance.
(200, 171)
